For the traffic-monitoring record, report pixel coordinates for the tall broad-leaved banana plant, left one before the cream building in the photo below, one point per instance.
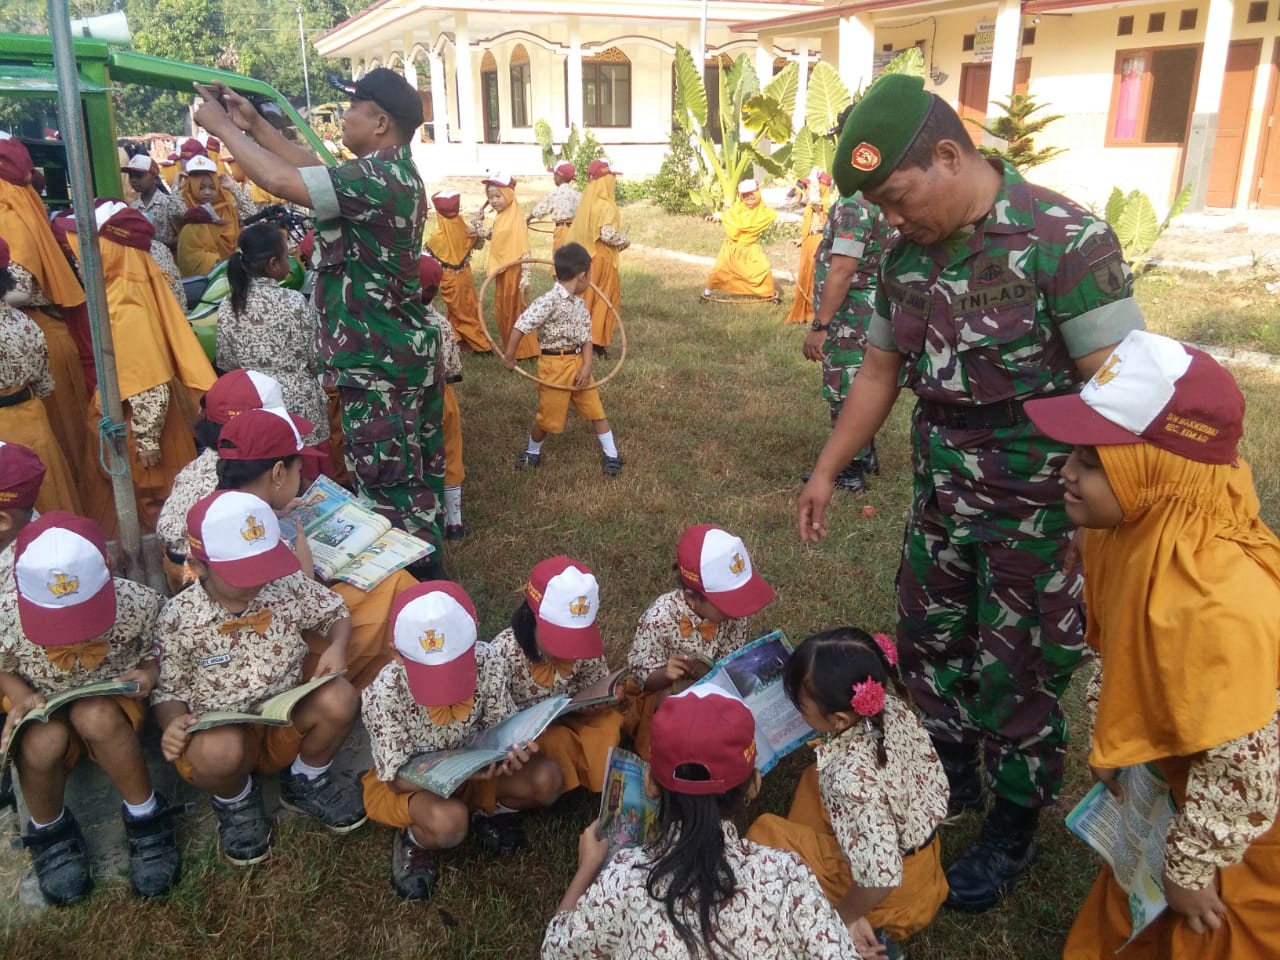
(726, 164)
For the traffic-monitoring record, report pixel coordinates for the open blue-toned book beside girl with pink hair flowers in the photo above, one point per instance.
(755, 673)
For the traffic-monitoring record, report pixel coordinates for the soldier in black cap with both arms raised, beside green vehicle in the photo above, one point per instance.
(376, 345)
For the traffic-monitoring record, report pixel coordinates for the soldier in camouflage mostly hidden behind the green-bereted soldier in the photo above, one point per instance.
(844, 282)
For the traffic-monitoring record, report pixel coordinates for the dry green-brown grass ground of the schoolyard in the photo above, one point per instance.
(717, 415)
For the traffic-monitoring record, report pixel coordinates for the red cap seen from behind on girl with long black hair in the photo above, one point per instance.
(706, 728)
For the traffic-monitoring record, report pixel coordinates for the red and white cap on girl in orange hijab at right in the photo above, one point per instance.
(1151, 390)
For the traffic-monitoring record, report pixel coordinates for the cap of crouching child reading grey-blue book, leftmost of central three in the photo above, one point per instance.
(435, 630)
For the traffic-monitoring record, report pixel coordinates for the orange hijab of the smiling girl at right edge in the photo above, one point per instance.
(1185, 607)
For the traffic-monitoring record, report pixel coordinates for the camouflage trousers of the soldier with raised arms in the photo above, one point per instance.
(394, 442)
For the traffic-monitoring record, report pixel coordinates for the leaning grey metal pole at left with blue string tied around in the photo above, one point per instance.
(72, 125)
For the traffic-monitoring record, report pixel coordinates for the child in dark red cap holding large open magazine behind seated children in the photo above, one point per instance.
(260, 452)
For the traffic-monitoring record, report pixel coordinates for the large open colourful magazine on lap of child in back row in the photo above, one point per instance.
(350, 541)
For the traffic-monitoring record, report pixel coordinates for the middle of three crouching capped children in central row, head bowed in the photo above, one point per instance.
(554, 646)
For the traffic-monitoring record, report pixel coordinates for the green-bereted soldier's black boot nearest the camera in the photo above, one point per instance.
(989, 870)
